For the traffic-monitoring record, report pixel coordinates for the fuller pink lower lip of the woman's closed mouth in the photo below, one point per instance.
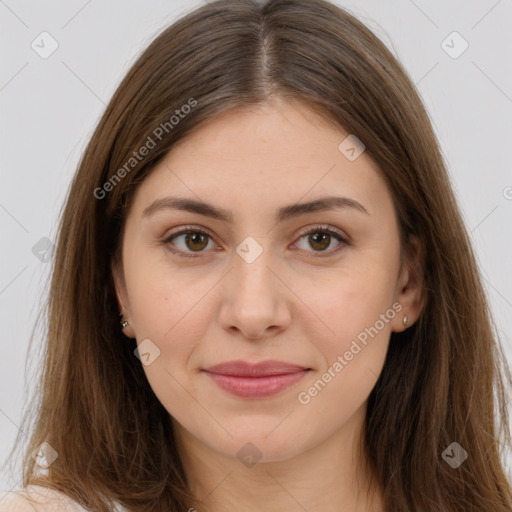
(256, 387)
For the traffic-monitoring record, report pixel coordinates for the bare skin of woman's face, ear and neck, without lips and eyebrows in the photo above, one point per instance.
(287, 305)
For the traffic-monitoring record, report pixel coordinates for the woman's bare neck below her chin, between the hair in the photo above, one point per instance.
(327, 477)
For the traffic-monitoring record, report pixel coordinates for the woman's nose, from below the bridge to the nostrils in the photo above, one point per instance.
(255, 302)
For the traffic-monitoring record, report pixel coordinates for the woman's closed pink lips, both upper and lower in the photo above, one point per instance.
(255, 380)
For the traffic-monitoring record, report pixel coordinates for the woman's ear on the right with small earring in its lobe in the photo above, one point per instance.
(410, 292)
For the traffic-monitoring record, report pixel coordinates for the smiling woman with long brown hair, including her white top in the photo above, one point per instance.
(264, 296)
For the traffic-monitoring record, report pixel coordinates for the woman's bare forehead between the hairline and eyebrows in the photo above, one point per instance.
(271, 154)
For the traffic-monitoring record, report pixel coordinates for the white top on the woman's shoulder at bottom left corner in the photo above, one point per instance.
(44, 500)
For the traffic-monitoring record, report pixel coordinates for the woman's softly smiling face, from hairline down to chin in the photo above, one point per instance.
(314, 291)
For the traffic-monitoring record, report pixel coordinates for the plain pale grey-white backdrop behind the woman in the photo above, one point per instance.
(49, 108)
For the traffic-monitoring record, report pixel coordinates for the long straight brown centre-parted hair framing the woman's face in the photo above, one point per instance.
(442, 381)
